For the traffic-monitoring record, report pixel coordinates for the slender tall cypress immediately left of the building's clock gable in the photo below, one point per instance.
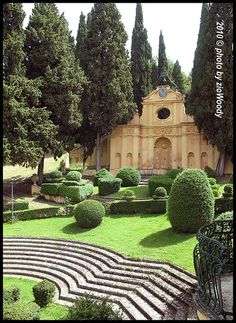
(141, 64)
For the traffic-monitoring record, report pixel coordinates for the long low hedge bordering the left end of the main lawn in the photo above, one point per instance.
(31, 214)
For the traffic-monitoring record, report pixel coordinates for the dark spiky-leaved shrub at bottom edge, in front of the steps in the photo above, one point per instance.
(86, 308)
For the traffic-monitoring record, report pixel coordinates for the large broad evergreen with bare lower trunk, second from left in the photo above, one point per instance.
(50, 56)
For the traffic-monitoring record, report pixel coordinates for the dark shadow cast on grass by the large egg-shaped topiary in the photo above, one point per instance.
(164, 238)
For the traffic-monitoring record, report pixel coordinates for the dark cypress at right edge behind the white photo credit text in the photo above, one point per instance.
(210, 98)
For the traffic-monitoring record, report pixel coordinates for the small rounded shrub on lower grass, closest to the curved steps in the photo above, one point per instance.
(44, 292)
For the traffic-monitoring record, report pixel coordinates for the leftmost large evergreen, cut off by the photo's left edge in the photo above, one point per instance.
(26, 130)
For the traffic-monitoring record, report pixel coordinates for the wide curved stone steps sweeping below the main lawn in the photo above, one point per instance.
(141, 289)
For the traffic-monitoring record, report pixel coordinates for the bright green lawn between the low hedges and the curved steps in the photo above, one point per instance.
(138, 236)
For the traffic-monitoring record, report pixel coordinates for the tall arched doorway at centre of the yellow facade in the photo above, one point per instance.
(162, 154)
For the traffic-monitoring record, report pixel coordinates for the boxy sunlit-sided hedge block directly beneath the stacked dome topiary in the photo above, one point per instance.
(75, 193)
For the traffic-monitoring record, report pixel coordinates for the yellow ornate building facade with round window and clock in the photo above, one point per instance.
(164, 137)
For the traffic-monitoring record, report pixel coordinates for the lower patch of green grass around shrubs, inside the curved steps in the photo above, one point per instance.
(51, 312)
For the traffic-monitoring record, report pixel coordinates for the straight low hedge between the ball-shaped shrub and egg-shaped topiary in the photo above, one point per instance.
(138, 206)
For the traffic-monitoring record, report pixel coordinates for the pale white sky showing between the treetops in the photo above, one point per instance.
(179, 23)
